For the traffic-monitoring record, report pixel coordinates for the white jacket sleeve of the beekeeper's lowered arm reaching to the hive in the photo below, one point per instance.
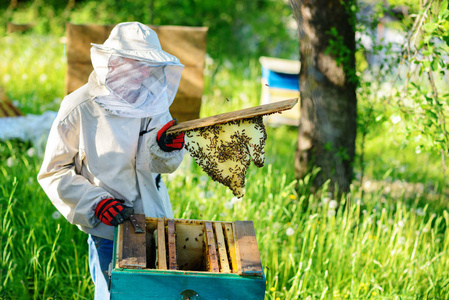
(72, 194)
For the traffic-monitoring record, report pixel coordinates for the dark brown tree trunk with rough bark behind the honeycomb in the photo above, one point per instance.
(327, 129)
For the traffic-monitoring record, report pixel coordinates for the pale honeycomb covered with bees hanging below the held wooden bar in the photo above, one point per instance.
(225, 151)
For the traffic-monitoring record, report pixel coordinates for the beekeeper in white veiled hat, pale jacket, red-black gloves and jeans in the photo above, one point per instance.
(108, 144)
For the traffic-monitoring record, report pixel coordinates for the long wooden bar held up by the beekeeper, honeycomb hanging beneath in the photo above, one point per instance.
(251, 112)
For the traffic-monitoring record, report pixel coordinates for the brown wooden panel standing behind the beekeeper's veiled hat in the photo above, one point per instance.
(186, 43)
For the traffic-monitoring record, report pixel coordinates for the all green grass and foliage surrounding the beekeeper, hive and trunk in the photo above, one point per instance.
(387, 239)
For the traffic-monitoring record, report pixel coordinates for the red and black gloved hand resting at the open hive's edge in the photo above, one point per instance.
(112, 211)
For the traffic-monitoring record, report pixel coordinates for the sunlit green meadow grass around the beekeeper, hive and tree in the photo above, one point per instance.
(390, 244)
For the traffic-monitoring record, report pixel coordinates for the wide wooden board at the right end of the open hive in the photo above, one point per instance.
(246, 246)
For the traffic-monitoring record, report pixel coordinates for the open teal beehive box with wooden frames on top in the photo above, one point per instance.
(187, 259)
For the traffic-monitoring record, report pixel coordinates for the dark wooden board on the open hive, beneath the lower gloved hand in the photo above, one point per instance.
(133, 252)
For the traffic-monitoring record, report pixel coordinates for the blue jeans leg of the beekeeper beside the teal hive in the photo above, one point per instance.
(100, 256)
